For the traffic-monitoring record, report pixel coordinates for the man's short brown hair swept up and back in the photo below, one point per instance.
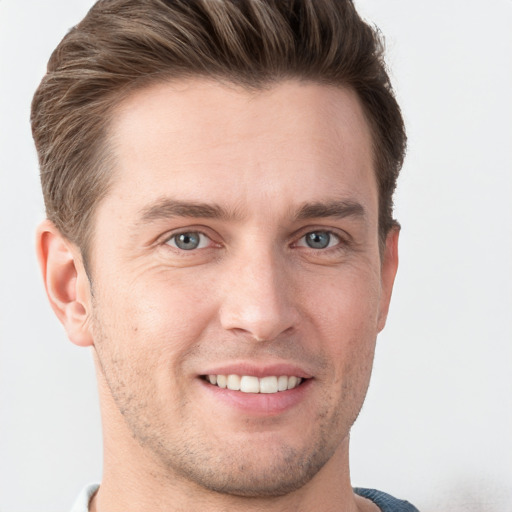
(125, 44)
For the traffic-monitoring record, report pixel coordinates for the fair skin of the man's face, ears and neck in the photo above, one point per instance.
(267, 168)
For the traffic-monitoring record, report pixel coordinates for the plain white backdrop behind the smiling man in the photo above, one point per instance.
(437, 424)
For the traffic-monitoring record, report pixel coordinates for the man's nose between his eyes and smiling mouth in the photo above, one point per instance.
(258, 297)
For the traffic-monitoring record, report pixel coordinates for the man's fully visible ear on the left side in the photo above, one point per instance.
(66, 282)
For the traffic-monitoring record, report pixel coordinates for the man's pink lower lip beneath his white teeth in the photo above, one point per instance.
(260, 404)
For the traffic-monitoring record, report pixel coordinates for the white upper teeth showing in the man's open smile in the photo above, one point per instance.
(251, 384)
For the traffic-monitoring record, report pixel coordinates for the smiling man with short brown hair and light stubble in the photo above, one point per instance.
(218, 179)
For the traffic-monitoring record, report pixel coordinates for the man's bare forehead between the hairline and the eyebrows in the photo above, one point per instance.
(293, 142)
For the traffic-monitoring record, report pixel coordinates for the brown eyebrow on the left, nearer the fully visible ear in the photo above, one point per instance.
(169, 208)
